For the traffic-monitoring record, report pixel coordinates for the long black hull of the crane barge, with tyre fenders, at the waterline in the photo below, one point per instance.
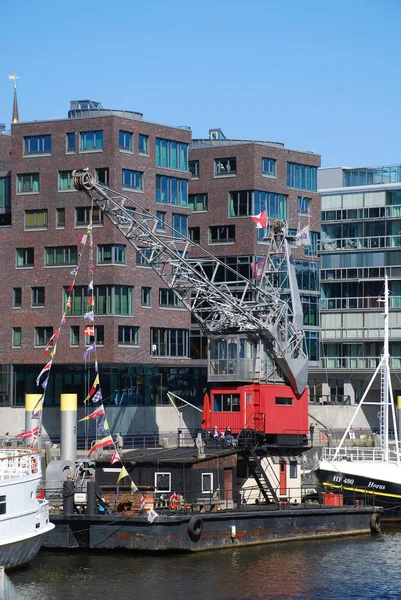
(192, 533)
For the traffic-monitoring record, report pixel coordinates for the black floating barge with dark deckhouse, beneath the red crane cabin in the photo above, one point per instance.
(187, 521)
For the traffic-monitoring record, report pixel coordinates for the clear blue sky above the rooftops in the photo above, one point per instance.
(317, 75)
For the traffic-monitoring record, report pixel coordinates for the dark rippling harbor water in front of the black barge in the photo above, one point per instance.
(361, 567)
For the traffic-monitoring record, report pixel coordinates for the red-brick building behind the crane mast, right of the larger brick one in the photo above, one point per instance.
(234, 179)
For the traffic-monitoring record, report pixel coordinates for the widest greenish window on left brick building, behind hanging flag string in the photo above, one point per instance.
(108, 300)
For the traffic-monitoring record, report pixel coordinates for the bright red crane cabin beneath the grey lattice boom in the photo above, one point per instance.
(272, 408)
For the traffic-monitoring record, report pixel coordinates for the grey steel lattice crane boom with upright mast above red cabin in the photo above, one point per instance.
(262, 312)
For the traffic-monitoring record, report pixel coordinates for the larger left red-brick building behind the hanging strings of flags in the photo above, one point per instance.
(142, 337)
